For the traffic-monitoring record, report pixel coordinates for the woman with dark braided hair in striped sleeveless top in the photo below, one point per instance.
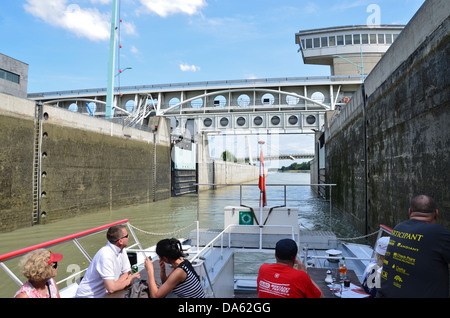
(183, 280)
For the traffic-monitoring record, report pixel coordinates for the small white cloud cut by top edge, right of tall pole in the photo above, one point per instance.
(165, 8)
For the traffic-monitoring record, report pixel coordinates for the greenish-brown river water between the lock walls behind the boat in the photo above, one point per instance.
(174, 217)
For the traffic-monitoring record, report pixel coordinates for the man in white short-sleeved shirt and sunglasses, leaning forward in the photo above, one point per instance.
(110, 270)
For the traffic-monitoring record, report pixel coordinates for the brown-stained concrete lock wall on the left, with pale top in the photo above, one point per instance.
(87, 164)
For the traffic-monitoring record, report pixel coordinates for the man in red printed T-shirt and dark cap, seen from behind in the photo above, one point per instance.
(282, 280)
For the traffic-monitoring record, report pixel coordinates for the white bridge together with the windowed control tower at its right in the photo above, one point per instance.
(251, 106)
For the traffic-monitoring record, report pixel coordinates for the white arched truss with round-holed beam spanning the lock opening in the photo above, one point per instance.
(251, 118)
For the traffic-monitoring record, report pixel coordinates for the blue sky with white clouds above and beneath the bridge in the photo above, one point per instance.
(66, 42)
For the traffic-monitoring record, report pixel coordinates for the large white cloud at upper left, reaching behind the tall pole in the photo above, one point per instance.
(87, 22)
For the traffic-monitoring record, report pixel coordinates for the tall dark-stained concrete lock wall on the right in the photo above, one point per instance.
(407, 118)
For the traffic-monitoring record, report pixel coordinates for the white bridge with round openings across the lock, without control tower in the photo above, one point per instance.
(232, 107)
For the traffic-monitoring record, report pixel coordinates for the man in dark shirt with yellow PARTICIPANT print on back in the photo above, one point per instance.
(417, 258)
